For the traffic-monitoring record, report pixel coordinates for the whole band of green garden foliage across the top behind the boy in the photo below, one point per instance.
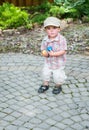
(13, 17)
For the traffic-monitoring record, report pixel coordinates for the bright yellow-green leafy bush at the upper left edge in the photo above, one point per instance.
(12, 17)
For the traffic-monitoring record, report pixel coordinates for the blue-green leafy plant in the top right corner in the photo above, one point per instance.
(74, 8)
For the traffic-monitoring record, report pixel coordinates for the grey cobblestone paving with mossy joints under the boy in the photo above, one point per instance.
(22, 108)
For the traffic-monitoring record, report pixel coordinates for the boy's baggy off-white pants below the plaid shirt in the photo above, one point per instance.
(59, 76)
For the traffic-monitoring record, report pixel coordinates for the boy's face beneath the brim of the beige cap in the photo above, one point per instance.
(52, 31)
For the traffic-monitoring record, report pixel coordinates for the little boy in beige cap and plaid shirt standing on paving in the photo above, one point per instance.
(53, 48)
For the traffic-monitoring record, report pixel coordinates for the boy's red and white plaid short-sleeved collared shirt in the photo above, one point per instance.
(58, 44)
